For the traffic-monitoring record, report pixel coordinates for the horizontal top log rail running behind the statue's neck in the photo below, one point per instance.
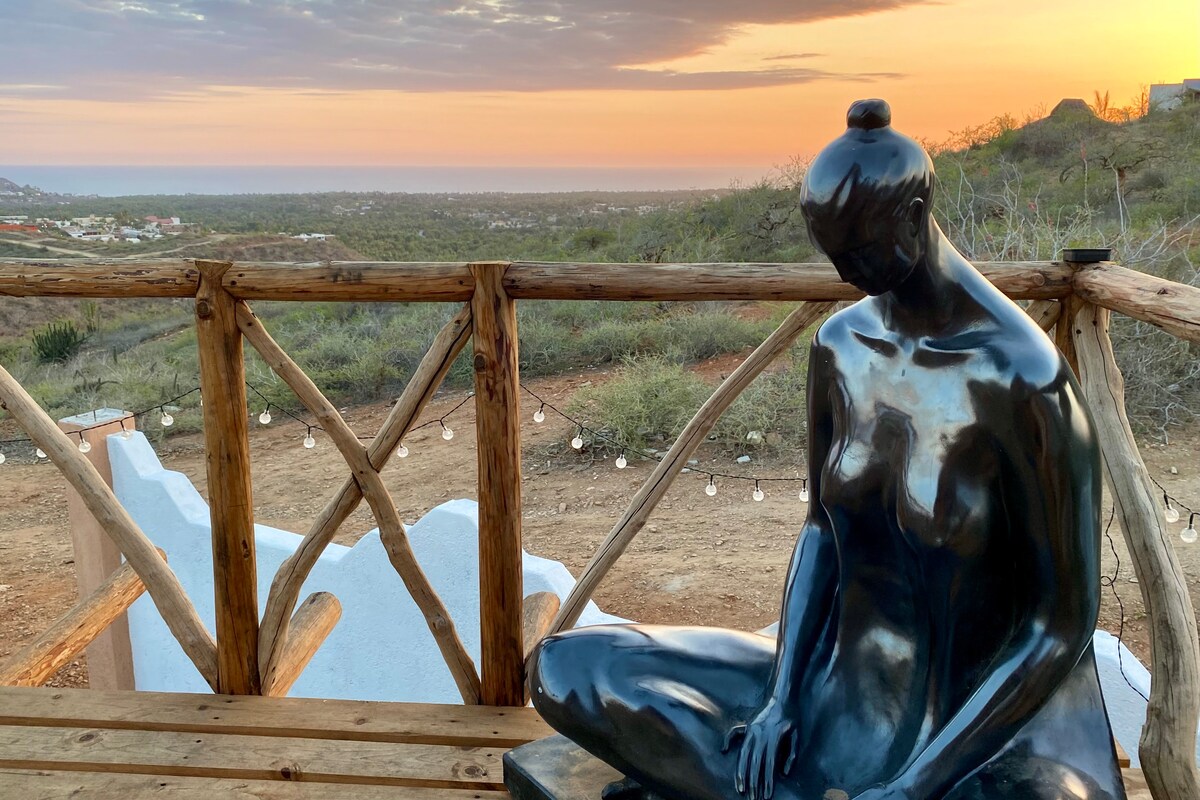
(443, 282)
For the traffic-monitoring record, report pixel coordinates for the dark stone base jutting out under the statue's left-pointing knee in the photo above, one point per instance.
(556, 769)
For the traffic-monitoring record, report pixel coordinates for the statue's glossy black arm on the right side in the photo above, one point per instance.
(1052, 488)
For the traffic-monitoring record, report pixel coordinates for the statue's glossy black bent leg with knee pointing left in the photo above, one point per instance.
(655, 702)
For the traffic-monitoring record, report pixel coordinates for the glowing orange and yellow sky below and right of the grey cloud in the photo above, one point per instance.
(943, 68)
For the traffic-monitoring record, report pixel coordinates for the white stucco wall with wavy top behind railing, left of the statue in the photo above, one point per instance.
(380, 651)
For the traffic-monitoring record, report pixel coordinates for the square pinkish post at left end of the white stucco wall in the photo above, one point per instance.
(97, 556)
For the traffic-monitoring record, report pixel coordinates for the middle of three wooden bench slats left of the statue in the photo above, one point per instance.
(206, 755)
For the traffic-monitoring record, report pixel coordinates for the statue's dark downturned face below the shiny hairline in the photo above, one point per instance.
(873, 249)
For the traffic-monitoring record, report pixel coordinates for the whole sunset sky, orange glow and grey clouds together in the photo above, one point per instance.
(567, 83)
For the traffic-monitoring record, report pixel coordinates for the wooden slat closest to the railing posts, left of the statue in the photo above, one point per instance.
(278, 717)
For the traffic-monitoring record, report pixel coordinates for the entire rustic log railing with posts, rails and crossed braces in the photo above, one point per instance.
(253, 655)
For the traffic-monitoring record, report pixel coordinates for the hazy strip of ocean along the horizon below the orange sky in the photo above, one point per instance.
(124, 181)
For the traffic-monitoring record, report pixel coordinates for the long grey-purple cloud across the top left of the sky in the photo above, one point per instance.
(117, 50)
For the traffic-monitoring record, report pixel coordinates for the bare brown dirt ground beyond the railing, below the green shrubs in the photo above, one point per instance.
(718, 561)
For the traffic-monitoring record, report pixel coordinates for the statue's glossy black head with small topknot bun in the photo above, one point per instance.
(867, 201)
